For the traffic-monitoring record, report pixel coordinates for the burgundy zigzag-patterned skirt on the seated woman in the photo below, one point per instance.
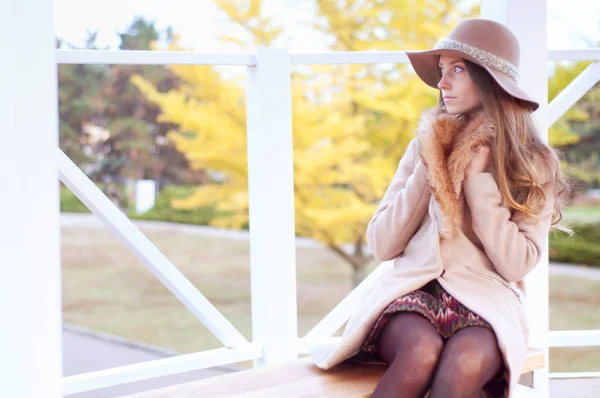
(444, 312)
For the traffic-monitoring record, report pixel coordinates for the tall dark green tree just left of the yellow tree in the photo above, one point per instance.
(137, 147)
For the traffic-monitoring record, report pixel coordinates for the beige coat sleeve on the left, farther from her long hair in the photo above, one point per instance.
(402, 208)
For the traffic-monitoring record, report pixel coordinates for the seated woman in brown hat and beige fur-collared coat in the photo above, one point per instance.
(465, 218)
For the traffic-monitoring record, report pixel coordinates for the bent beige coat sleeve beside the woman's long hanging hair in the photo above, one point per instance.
(512, 242)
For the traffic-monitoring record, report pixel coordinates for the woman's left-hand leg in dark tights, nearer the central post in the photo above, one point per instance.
(411, 346)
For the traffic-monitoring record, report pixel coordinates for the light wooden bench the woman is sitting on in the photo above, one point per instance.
(299, 378)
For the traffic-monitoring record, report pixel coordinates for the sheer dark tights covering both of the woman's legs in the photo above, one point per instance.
(418, 360)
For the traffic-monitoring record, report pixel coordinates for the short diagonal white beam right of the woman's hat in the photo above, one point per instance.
(573, 92)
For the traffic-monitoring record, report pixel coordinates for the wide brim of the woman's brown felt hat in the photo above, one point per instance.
(425, 64)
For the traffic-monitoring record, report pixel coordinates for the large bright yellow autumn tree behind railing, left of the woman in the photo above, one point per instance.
(351, 123)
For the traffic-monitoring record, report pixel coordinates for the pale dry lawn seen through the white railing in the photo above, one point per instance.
(107, 288)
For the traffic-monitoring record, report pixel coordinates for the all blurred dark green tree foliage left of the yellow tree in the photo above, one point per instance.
(107, 126)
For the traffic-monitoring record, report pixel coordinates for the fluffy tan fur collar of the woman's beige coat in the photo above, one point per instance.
(447, 145)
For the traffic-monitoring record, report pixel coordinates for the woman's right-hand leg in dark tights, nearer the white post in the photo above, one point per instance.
(471, 358)
